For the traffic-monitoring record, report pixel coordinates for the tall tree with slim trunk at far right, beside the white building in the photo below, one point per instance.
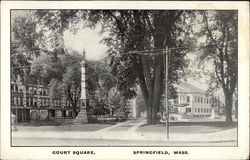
(221, 50)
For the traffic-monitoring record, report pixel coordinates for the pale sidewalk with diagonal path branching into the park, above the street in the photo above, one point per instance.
(229, 135)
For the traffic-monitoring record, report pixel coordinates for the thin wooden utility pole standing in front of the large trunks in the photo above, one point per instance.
(166, 90)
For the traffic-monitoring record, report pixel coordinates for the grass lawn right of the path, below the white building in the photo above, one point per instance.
(187, 127)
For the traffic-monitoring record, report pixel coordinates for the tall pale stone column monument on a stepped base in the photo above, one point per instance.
(82, 115)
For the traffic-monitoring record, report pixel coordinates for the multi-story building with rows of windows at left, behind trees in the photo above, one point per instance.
(30, 102)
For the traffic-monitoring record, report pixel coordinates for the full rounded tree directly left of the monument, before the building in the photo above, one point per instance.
(62, 76)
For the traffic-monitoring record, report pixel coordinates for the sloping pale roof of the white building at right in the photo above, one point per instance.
(188, 88)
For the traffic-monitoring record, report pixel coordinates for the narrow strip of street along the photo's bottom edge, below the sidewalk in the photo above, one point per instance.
(108, 142)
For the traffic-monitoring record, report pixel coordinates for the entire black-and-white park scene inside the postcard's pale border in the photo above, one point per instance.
(124, 77)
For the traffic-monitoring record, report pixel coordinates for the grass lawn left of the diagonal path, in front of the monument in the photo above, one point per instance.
(66, 128)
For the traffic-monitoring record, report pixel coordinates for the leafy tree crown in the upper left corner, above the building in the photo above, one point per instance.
(24, 45)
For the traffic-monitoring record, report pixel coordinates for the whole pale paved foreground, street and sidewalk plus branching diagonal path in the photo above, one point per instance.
(123, 134)
